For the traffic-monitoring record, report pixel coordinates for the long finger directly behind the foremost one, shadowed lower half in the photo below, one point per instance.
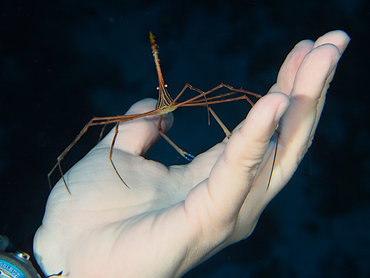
(298, 123)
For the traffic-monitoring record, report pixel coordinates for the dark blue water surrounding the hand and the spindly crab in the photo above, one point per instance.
(62, 63)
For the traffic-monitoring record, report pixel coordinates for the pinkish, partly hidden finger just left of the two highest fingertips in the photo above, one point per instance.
(290, 67)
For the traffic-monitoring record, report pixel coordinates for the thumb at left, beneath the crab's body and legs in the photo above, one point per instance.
(139, 135)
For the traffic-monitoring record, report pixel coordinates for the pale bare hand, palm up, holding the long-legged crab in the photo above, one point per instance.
(172, 219)
